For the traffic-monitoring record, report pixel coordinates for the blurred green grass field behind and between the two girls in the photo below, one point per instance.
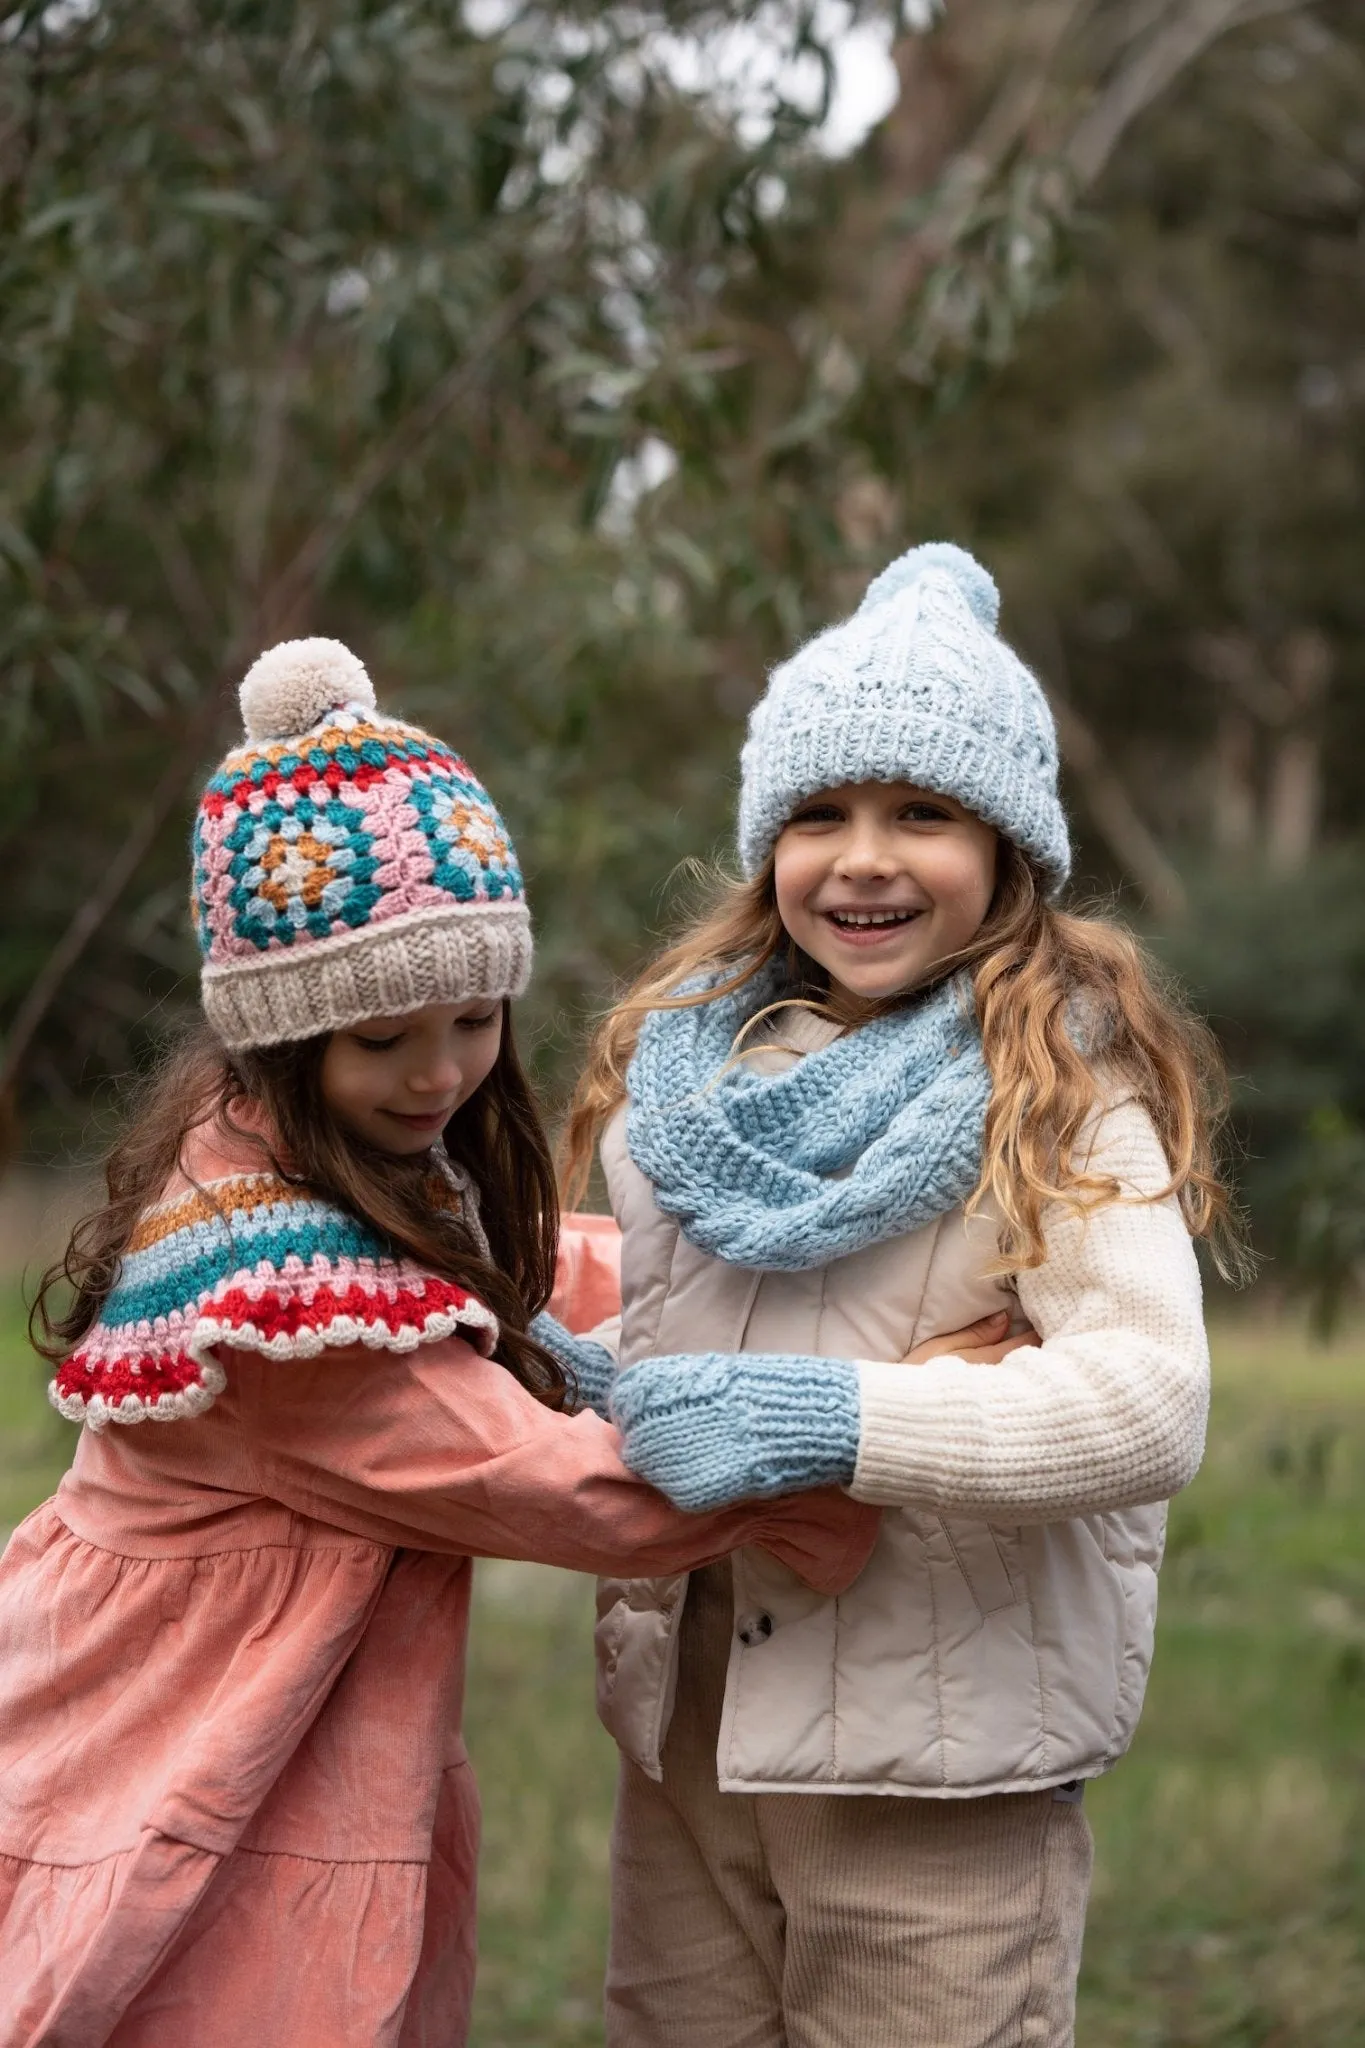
(1231, 1875)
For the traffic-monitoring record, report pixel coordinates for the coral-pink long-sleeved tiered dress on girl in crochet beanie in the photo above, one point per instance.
(234, 1797)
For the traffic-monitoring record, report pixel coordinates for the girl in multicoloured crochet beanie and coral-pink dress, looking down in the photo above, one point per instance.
(234, 1799)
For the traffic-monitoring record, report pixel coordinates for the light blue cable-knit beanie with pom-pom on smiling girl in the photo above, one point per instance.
(916, 687)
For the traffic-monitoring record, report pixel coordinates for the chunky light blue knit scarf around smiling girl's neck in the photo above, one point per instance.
(744, 1160)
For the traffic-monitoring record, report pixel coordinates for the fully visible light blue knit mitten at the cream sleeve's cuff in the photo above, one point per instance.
(734, 1426)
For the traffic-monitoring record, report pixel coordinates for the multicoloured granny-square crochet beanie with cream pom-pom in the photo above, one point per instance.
(347, 865)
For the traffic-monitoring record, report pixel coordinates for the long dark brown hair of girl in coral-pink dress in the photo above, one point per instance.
(273, 1101)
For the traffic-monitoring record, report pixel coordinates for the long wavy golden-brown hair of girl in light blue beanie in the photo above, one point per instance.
(1071, 1009)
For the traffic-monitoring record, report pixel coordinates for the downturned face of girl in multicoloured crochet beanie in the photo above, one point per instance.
(398, 1080)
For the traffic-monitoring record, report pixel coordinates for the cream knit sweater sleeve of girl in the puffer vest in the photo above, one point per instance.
(1110, 1412)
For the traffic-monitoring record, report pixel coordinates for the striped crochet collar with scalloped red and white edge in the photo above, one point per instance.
(255, 1265)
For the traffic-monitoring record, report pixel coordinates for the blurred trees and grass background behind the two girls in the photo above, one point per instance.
(574, 364)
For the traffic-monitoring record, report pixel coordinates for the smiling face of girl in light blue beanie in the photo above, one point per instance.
(881, 882)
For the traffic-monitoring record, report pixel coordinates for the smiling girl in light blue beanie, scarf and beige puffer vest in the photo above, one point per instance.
(908, 1164)
